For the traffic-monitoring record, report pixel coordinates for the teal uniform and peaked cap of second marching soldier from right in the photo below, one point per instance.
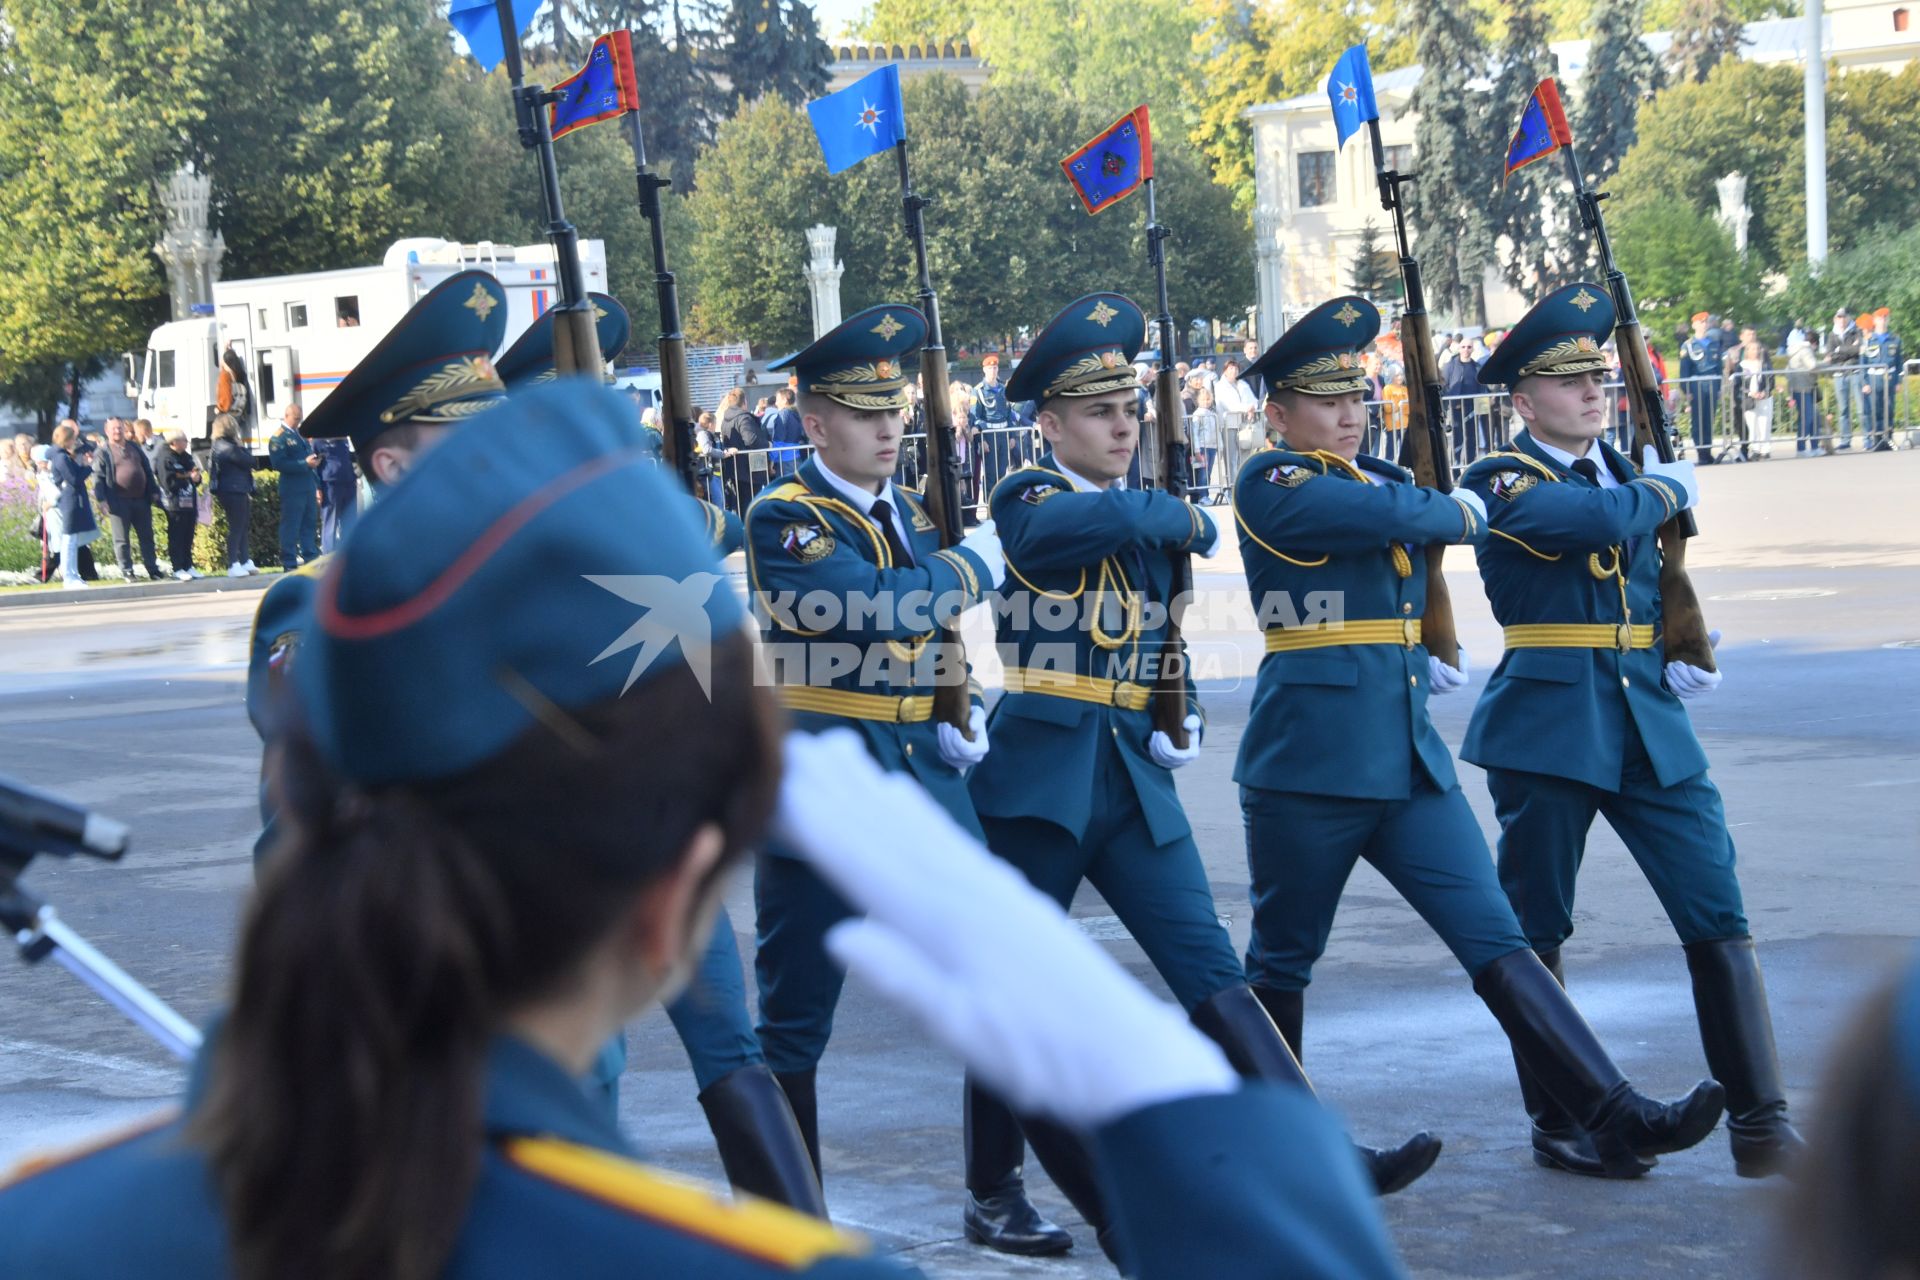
(1335, 559)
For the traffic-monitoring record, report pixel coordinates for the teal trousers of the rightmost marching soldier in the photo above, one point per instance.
(1675, 834)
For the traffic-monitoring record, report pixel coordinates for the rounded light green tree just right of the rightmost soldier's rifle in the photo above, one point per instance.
(1681, 260)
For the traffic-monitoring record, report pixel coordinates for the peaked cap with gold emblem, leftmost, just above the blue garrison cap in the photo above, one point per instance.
(437, 366)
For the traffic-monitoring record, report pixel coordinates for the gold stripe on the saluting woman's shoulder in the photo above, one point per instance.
(748, 1227)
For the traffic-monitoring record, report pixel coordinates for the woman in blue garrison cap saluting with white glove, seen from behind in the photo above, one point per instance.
(496, 859)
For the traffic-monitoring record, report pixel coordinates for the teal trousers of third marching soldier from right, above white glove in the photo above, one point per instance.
(1159, 891)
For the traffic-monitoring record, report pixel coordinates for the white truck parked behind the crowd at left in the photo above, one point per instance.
(300, 335)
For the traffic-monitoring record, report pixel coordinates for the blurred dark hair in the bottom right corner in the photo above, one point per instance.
(1852, 1214)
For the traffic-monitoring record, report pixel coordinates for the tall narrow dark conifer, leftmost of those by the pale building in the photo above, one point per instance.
(1449, 204)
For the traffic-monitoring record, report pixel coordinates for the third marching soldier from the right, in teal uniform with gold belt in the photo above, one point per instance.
(1080, 786)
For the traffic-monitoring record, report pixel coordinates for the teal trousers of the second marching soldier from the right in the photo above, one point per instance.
(1301, 851)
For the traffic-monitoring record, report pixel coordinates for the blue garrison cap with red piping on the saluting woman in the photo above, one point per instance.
(539, 559)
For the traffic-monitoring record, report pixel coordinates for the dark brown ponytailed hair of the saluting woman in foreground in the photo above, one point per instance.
(395, 930)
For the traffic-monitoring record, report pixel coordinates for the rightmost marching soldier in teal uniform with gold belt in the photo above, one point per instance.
(1583, 719)
